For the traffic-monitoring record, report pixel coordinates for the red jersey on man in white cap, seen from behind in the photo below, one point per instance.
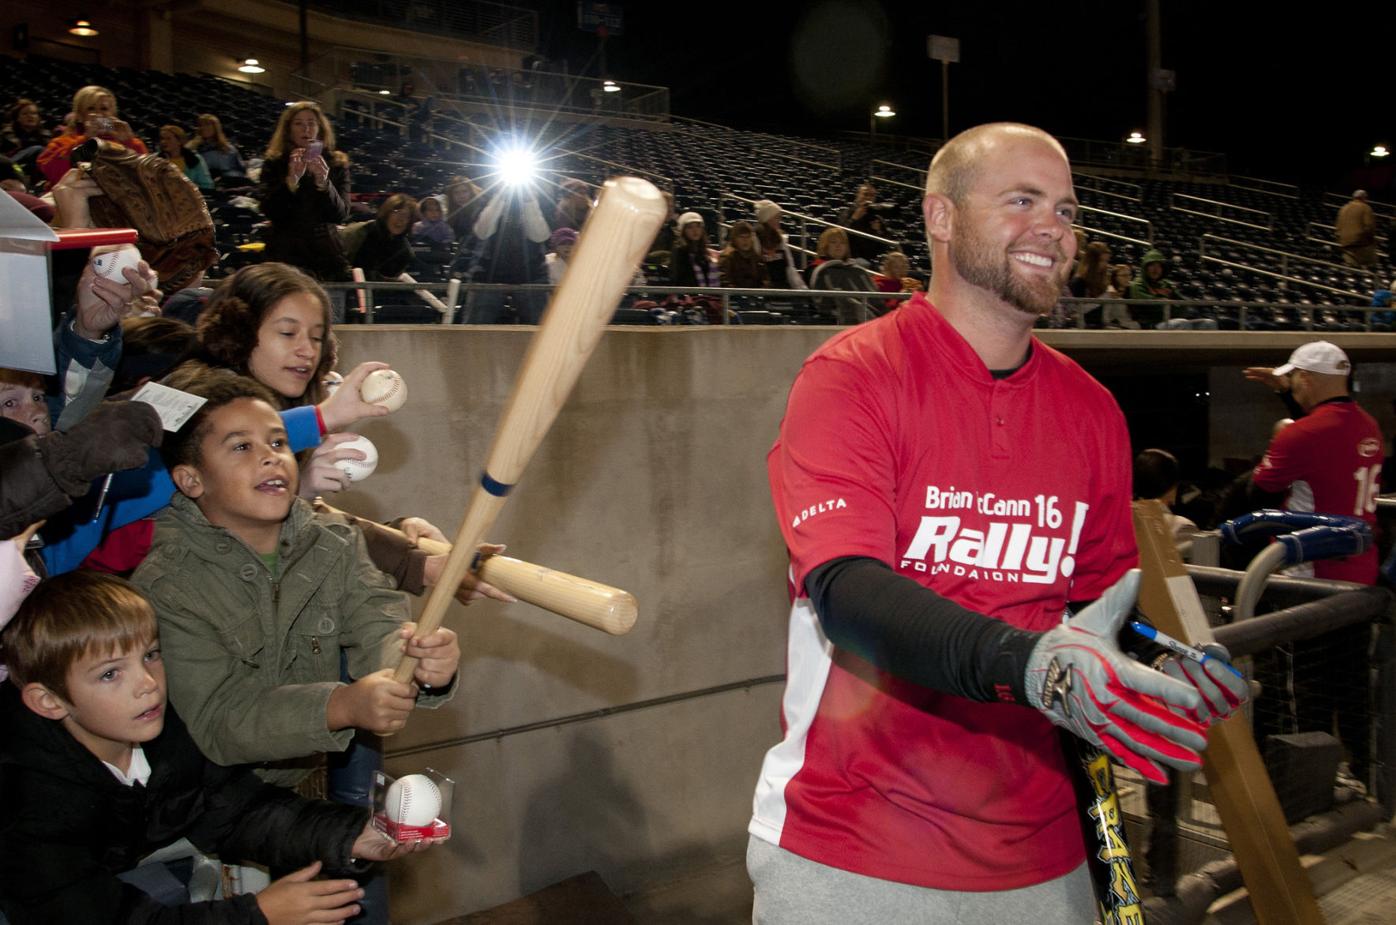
(1330, 462)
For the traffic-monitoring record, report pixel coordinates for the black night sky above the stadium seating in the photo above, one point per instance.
(1292, 97)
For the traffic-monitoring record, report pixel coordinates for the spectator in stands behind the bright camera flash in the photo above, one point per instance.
(510, 245)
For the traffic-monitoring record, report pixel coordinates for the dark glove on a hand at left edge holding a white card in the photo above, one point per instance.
(114, 437)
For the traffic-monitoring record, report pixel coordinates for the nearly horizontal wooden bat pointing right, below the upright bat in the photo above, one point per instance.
(590, 603)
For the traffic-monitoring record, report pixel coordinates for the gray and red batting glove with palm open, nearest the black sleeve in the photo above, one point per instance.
(1081, 680)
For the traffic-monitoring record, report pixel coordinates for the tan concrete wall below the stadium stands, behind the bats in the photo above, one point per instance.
(654, 481)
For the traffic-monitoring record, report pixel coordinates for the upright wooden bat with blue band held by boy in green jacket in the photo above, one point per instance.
(616, 238)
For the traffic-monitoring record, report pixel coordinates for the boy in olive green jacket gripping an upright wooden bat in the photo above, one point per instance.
(258, 596)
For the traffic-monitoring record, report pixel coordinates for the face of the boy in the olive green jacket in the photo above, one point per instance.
(245, 478)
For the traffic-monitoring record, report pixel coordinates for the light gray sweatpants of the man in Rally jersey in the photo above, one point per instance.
(795, 891)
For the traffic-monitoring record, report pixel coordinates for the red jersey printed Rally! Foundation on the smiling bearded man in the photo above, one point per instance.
(1007, 496)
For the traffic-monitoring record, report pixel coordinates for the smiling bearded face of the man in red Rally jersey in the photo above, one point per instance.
(1013, 231)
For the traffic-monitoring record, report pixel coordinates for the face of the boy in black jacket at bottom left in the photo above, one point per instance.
(117, 701)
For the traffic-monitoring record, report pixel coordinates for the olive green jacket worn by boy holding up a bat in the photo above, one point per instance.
(251, 658)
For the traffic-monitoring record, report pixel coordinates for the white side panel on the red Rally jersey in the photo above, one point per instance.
(809, 659)
